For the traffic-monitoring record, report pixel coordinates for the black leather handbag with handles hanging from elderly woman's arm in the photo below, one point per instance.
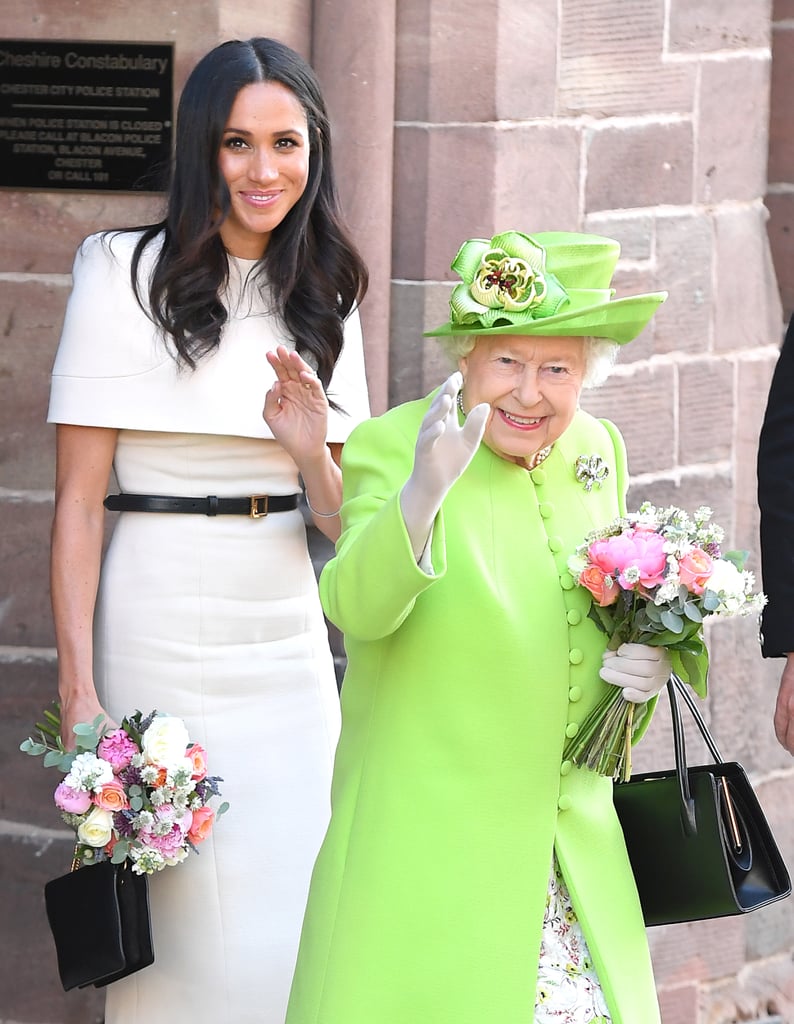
(698, 840)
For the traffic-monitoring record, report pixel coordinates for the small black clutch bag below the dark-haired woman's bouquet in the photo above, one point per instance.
(99, 917)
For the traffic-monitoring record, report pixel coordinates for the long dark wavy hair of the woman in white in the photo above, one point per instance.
(315, 273)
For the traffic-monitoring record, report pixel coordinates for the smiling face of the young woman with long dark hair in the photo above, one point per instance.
(264, 159)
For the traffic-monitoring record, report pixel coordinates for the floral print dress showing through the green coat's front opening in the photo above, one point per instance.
(568, 991)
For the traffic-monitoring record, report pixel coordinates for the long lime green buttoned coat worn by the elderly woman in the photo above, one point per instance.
(450, 792)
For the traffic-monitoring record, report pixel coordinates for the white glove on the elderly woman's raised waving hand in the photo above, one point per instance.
(444, 449)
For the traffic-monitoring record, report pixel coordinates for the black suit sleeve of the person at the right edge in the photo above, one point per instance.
(776, 500)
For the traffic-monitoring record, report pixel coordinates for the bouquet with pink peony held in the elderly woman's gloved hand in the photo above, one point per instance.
(654, 577)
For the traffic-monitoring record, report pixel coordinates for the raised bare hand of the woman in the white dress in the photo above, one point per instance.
(297, 408)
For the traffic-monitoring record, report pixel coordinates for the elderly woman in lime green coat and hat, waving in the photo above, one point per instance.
(471, 875)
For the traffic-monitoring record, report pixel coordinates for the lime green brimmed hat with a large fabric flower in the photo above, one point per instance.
(553, 283)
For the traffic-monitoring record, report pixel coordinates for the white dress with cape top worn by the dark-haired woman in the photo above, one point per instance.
(217, 621)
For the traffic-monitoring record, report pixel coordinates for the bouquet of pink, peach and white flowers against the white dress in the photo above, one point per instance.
(140, 793)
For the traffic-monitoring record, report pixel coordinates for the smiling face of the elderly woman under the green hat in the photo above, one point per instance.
(532, 386)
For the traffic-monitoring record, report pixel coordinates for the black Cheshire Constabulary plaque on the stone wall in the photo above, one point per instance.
(86, 116)
